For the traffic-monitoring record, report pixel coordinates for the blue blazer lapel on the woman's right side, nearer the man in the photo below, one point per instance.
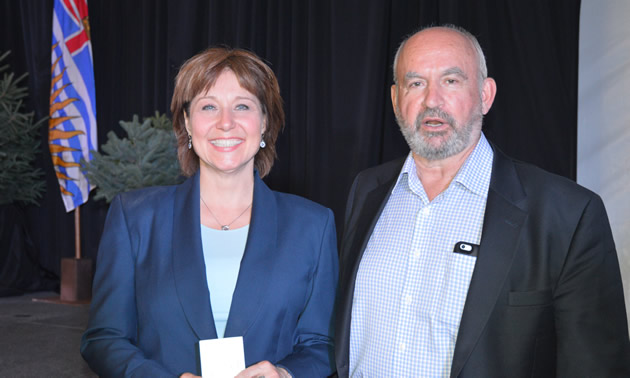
(257, 263)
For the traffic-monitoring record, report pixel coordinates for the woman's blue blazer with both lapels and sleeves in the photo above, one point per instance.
(151, 306)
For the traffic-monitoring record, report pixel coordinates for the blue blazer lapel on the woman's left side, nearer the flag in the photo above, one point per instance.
(188, 263)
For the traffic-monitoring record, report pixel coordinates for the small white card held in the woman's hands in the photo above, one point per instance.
(221, 358)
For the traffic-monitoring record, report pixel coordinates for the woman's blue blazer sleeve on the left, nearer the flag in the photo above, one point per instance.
(109, 343)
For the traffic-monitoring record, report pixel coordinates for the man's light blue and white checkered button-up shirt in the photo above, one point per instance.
(411, 287)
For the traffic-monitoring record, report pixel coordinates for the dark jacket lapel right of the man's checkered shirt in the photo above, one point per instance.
(502, 229)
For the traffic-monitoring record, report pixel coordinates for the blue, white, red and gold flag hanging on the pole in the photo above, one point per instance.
(72, 122)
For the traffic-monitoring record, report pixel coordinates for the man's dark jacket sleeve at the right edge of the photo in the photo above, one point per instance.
(590, 315)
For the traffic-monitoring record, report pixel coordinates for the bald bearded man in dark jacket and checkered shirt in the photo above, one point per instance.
(462, 262)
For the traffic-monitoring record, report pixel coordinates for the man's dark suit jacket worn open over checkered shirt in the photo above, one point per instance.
(545, 298)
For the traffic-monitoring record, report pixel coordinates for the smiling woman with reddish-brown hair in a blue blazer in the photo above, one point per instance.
(220, 255)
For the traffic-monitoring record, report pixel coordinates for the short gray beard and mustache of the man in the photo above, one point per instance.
(418, 141)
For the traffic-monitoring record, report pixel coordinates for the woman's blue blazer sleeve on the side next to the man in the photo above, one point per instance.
(313, 352)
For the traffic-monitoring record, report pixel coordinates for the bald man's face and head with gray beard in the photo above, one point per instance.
(438, 101)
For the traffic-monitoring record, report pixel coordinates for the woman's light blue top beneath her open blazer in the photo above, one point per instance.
(222, 254)
